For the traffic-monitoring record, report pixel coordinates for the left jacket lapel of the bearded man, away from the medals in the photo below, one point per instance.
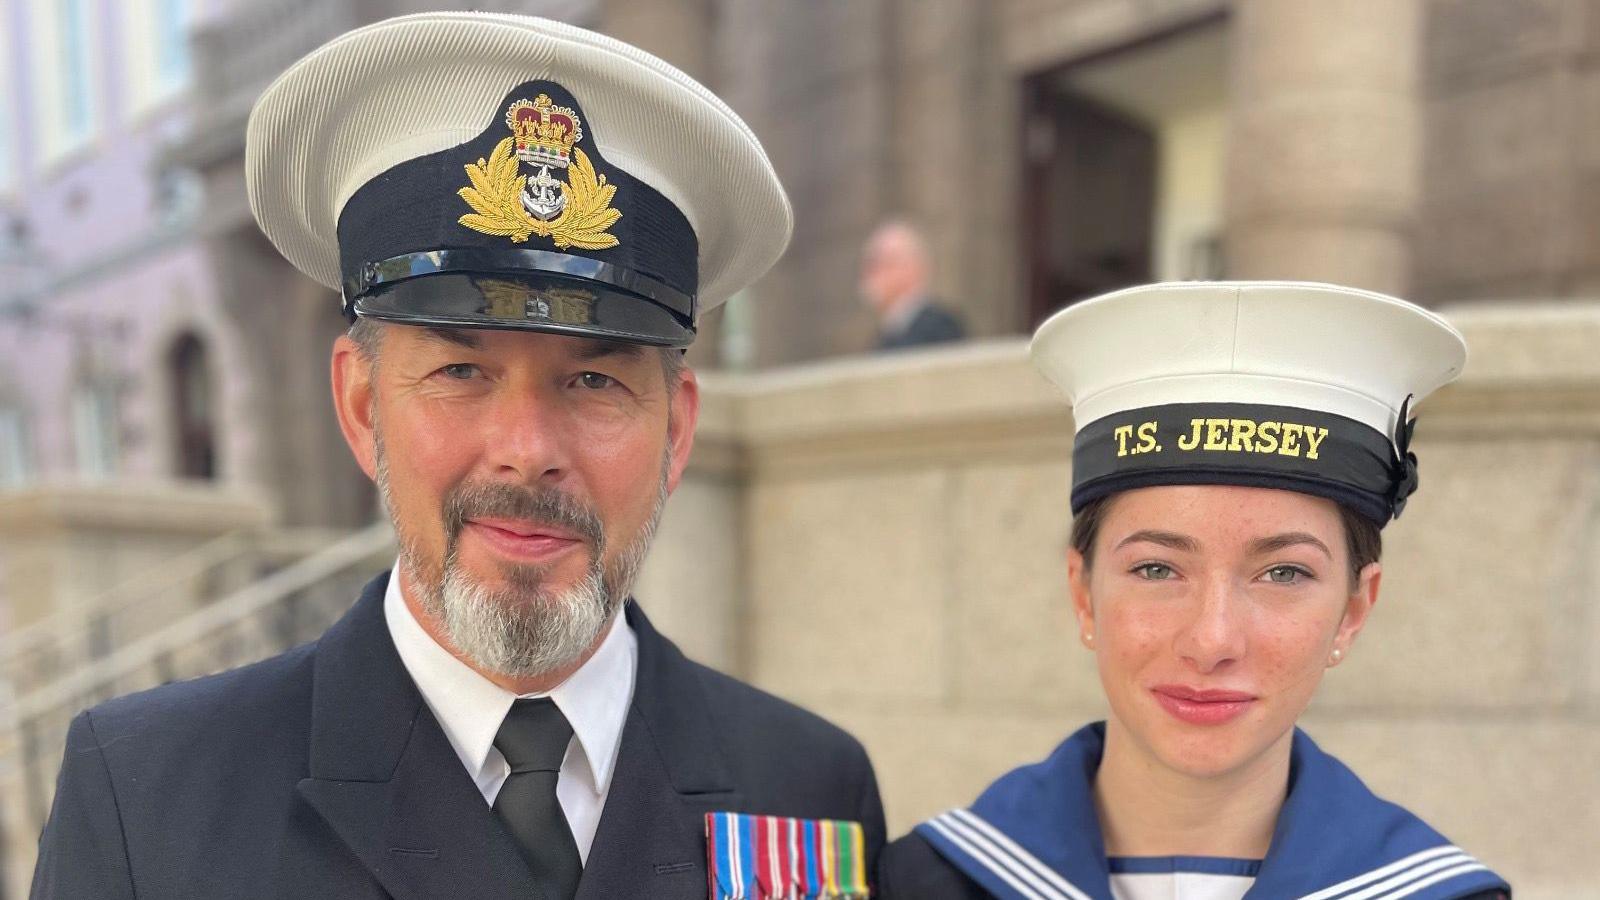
(385, 777)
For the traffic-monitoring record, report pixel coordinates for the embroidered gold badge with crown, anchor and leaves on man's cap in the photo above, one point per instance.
(510, 204)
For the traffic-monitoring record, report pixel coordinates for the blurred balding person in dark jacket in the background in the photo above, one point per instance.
(895, 273)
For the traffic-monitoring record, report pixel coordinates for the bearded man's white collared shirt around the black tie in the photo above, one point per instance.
(471, 709)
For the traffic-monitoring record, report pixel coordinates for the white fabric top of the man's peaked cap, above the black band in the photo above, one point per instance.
(417, 86)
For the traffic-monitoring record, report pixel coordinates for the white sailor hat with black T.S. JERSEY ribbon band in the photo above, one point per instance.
(1286, 385)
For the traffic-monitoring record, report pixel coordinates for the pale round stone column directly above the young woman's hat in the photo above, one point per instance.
(1324, 145)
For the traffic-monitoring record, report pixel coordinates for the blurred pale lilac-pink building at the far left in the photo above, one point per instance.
(111, 347)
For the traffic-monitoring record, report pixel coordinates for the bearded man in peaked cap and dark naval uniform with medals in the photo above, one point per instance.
(526, 222)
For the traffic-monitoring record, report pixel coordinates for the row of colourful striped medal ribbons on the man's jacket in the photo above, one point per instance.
(769, 858)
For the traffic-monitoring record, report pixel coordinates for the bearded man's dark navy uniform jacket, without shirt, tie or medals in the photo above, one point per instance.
(324, 774)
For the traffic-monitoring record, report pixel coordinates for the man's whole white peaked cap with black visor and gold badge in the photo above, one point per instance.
(508, 172)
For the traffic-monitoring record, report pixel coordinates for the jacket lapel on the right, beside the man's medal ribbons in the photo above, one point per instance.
(670, 774)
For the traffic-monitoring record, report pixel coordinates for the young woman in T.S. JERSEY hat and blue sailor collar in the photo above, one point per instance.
(1239, 449)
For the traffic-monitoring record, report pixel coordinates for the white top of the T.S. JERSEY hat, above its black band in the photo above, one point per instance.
(1316, 347)
